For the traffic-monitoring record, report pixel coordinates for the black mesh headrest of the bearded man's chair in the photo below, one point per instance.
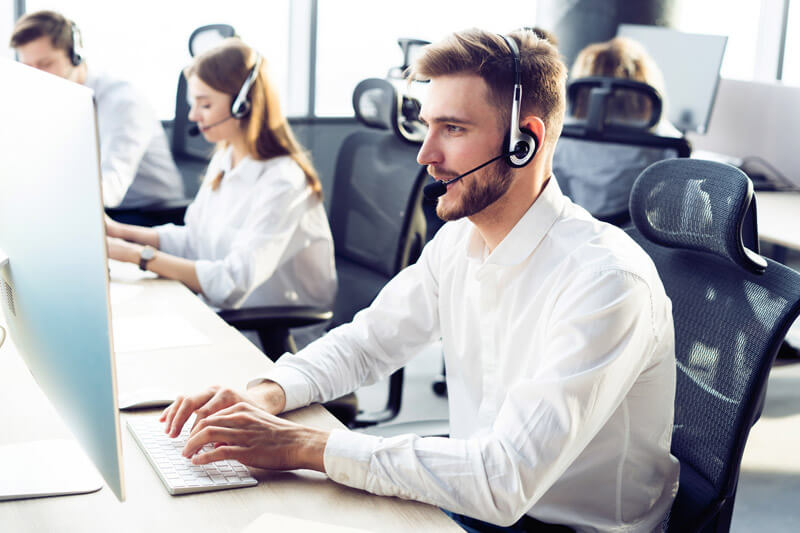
(698, 205)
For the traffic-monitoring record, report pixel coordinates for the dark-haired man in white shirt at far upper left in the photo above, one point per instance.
(135, 161)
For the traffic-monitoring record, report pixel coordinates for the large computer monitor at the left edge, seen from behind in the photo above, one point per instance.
(55, 295)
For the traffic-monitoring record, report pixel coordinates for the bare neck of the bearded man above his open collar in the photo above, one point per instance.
(497, 220)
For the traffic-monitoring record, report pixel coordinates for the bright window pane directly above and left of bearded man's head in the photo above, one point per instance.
(357, 39)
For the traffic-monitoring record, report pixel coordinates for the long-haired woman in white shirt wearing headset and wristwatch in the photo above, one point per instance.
(257, 232)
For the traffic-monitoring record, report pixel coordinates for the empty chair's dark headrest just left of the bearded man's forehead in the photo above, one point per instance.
(378, 104)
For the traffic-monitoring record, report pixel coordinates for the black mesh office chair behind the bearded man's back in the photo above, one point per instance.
(732, 309)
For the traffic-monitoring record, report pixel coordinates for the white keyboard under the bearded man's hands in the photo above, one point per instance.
(177, 472)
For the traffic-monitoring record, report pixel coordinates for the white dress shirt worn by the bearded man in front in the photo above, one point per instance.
(559, 349)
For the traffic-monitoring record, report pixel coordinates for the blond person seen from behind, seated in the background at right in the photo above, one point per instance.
(599, 176)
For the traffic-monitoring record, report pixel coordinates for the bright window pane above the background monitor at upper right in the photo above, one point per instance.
(738, 19)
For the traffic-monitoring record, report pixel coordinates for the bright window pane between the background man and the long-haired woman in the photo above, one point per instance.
(146, 41)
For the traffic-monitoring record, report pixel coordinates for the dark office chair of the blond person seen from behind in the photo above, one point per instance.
(617, 112)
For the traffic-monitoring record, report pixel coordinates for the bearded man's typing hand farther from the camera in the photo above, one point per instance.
(268, 396)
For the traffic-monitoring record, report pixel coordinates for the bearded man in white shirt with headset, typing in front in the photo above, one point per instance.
(556, 331)
